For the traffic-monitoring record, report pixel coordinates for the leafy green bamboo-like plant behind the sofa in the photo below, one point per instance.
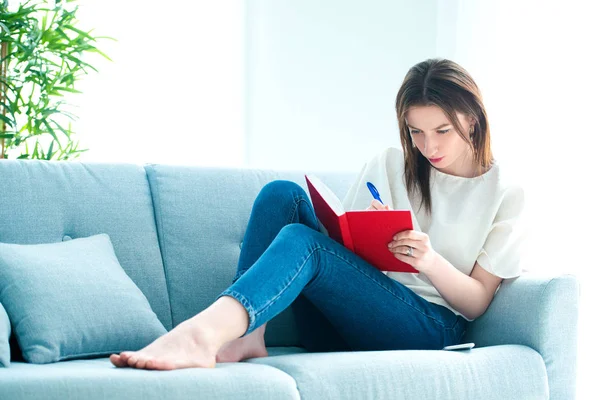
(41, 60)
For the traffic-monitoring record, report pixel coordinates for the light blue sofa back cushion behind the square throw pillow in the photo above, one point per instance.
(50, 200)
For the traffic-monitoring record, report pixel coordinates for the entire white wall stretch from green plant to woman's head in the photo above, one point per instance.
(249, 83)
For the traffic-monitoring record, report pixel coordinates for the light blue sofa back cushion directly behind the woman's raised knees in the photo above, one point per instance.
(202, 214)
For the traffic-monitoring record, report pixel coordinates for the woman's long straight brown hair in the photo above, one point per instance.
(445, 84)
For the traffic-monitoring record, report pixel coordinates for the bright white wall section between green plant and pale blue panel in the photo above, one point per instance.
(175, 91)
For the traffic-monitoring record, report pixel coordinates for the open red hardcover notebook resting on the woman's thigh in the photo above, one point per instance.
(365, 233)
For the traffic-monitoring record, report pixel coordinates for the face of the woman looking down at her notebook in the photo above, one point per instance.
(439, 141)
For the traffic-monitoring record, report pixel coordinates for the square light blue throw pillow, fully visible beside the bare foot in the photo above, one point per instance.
(72, 299)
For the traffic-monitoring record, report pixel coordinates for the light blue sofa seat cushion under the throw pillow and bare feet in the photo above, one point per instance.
(99, 379)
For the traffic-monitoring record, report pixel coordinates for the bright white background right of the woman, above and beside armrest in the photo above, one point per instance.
(536, 63)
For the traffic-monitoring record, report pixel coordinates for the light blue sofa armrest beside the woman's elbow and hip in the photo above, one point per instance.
(541, 312)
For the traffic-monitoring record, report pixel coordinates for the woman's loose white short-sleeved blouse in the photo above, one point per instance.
(472, 219)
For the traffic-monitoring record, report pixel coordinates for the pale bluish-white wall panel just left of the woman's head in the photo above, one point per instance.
(322, 78)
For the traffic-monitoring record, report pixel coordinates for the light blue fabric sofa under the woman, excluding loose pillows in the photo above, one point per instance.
(177, 230)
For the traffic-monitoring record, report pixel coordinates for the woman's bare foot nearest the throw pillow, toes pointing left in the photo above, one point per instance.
(188, 345)
